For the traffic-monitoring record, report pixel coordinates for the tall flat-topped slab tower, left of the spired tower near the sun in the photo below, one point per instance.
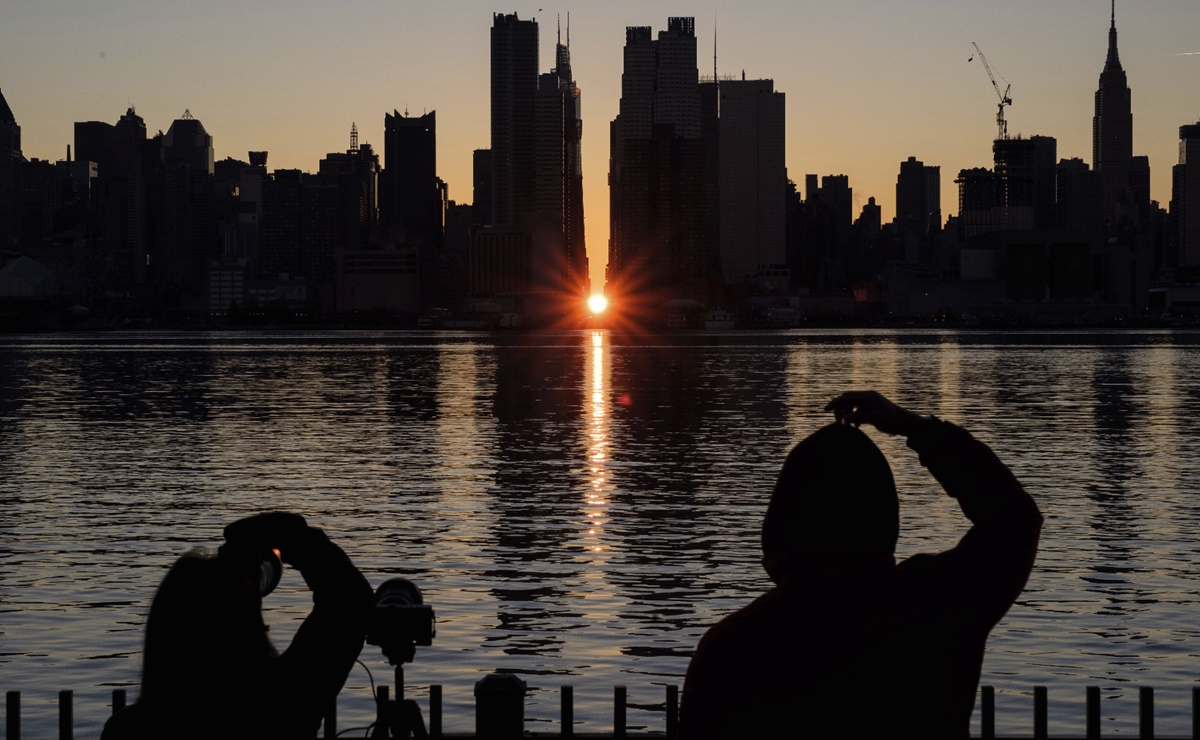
(514, 92)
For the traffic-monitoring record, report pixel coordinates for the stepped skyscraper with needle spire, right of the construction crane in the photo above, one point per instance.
(1113, 128)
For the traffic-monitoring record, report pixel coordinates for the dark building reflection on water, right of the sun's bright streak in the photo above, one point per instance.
(697, 446)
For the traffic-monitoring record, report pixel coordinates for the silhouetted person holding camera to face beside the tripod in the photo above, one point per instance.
(211, 671)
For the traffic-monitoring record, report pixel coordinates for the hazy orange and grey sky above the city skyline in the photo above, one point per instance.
(868, 82)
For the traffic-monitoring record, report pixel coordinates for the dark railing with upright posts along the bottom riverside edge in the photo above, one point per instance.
(500, 714)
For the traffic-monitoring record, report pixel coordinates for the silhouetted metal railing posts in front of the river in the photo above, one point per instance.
(987, 711)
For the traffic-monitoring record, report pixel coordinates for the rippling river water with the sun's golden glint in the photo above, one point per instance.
(579, 508)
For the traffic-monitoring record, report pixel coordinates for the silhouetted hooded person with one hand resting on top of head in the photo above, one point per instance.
(849, 643)
